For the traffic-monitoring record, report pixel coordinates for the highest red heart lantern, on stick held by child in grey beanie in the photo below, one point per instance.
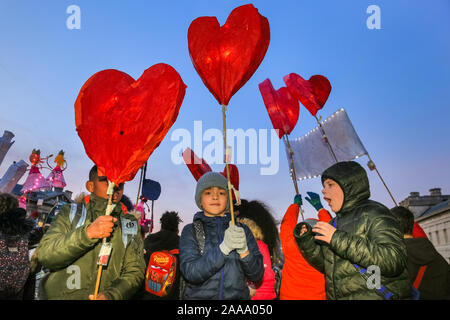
(226, 57)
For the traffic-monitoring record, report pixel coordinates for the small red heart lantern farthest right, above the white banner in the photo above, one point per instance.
(312, 93)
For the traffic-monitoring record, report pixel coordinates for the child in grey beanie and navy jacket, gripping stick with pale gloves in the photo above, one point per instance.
(230, 255)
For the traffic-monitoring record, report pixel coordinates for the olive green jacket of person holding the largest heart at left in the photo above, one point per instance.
(72, 257)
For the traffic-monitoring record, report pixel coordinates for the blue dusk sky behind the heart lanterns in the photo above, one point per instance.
(394, 83)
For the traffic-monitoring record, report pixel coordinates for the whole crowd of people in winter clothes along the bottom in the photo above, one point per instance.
(219, 256)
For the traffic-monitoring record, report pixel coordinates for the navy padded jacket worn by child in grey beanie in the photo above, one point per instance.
(214, 275)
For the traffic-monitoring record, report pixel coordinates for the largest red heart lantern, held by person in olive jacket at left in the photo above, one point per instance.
(121, 121)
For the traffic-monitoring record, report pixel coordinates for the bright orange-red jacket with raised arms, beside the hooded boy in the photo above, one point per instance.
(300, 281)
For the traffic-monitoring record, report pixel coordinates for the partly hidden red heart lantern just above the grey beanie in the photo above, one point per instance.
(198, 167)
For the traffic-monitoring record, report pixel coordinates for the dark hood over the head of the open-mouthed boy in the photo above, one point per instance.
(352, 178)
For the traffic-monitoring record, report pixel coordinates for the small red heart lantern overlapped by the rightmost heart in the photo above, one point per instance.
(283, 109)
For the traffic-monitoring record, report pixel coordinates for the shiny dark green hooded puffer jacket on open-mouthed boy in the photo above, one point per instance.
(367, 235)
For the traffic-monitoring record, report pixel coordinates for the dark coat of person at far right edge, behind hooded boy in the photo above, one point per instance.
(435, 283)
